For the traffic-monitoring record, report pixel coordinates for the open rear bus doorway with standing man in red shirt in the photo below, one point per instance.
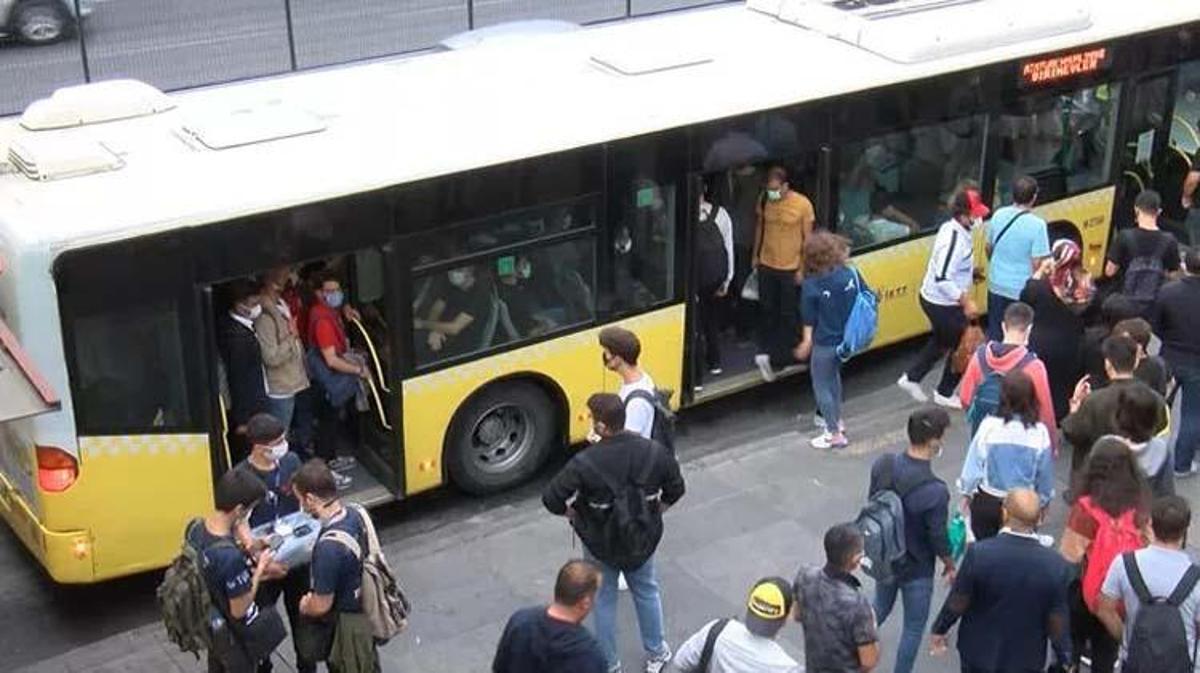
(310, 344)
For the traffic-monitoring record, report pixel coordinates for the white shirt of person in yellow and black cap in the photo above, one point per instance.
(737, 651)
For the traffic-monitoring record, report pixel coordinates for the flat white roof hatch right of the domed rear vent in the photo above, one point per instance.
(223, 130)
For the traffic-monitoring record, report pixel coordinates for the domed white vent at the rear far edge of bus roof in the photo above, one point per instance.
(95, 104)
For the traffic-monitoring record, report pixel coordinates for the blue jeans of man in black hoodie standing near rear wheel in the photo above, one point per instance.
(644, 587)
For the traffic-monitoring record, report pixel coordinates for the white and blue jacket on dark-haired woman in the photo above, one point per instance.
(1009, 455)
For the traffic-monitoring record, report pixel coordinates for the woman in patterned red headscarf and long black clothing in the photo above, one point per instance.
(1060, 291)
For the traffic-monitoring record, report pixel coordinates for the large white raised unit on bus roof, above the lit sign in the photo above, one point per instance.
(922, 31)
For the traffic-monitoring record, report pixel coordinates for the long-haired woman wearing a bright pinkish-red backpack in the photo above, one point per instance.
(1111, 491)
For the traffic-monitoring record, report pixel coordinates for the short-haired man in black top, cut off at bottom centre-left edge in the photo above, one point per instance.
(553, 640)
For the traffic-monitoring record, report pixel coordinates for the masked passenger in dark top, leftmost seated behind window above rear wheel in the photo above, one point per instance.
(457, 320)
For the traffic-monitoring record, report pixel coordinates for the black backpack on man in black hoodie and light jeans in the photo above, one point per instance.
(626, 533)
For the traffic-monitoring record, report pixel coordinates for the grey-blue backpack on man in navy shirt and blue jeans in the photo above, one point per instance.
(881, 522)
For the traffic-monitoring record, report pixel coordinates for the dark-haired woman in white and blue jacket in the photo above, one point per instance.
(1011, 450)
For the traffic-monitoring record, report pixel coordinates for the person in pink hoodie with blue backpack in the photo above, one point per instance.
(986, 372)
